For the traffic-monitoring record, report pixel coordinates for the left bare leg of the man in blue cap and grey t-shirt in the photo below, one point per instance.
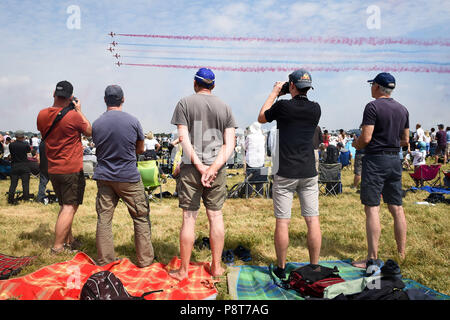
(187, 238)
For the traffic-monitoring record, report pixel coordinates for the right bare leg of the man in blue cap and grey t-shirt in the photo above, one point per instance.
(217, 238)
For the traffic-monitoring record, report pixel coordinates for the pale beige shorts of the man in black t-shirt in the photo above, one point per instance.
(283, 194)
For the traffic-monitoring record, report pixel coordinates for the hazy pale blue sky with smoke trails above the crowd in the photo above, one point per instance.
(248, 44)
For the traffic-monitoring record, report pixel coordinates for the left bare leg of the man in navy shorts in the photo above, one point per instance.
(373, 230)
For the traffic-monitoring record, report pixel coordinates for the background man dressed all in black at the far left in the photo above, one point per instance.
(19, 167)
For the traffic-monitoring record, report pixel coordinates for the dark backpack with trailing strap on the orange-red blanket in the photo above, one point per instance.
(105, 285)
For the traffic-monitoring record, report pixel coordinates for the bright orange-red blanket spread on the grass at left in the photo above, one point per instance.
(64, 281)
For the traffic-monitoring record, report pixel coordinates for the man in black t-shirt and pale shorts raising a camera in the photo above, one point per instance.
(297, 120)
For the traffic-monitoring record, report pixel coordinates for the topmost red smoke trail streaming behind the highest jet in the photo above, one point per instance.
(357, 41)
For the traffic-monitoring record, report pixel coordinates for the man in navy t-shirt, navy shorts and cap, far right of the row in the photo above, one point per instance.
(385, 127)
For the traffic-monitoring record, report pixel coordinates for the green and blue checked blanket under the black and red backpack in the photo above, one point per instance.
(256, 283)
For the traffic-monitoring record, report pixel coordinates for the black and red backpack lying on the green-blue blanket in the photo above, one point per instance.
(311, 280)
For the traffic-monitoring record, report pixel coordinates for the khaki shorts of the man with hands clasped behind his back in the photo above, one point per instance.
(191, 190)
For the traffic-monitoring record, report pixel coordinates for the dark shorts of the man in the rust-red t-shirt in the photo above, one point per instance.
(69, 188)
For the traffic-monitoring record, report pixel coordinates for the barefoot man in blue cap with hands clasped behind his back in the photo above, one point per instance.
(207, 128)
